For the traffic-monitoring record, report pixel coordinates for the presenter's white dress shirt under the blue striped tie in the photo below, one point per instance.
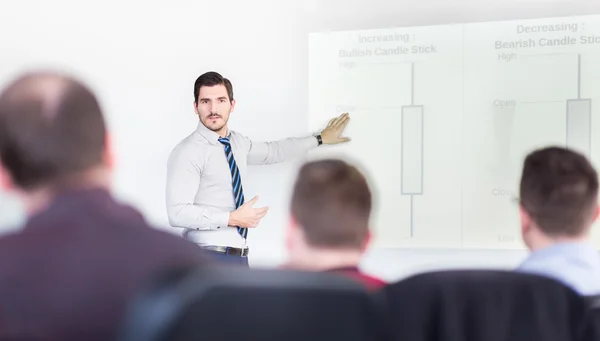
(199, 189)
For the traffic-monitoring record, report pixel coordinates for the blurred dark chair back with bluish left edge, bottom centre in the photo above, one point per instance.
(249, 304)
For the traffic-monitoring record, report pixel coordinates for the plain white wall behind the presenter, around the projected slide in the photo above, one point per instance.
(142, 58)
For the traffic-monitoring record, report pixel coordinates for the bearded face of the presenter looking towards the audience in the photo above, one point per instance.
(213, 108)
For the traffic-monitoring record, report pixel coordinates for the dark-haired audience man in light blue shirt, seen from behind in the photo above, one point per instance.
(559, 204)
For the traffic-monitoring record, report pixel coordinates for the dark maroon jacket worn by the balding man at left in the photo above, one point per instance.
(69, 273)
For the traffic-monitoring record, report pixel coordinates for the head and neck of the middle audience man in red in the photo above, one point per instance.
(330, 216)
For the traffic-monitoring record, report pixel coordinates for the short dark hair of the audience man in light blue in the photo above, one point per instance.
(559, 189)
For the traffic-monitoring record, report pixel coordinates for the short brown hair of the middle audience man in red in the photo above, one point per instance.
(332, 204)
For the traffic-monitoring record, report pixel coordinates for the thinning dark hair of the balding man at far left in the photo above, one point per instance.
(51, 127)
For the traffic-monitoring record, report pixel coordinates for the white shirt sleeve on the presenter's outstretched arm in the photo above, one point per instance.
(264, 153)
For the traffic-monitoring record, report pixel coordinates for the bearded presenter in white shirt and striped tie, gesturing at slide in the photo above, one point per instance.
(206, 171)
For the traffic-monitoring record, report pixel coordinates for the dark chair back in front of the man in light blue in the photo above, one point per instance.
(482, 305)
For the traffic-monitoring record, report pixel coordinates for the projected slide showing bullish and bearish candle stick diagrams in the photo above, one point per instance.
(442, 117)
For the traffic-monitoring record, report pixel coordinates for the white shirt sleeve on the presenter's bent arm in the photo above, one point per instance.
(184, 171)
